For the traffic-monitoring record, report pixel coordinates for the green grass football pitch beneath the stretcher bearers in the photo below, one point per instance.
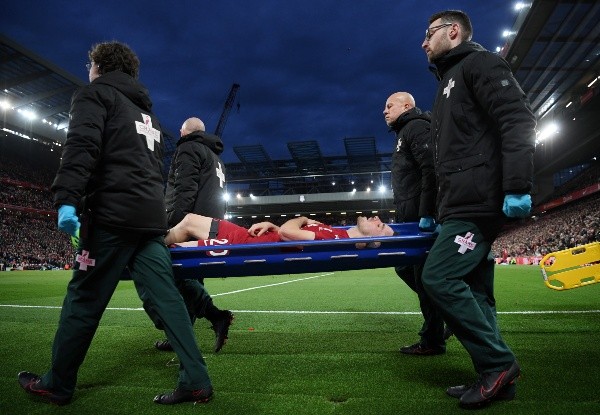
(308, 344)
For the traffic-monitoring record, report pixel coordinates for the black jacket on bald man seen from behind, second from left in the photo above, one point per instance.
(196, 178)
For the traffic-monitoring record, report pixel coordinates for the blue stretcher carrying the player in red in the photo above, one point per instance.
(407, 247)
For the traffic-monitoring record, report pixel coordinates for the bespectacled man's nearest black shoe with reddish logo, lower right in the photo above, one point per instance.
(488, 386)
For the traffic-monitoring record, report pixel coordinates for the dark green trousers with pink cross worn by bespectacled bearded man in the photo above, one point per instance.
(459, 277)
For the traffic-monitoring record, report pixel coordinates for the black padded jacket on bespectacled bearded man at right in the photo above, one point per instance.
(483, 134)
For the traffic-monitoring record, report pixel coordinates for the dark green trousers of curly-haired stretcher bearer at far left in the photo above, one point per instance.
(102, 257)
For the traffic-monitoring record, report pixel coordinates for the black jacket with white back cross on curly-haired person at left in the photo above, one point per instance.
(112, 159)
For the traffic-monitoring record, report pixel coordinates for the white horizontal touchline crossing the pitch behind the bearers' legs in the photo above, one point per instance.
(401, 313)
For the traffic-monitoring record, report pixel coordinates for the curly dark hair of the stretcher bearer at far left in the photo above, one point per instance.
(115, 56)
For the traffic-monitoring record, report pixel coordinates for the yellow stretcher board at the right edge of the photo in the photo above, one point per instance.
(572, 268)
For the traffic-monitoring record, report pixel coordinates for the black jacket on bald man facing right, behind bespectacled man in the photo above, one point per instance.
(413, 177)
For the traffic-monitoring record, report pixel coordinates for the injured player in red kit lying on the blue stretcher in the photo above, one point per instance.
(197, 230)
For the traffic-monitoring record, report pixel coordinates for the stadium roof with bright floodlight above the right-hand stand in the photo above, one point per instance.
(554, 50)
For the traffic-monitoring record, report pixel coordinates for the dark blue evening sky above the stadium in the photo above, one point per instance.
(309, 70)
